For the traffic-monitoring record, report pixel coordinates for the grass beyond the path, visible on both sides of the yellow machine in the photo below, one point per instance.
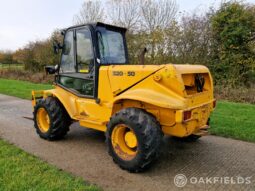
(234, 120)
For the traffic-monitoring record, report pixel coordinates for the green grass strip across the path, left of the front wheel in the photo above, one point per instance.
(21, 89)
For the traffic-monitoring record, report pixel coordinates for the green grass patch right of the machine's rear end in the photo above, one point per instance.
(234, 120)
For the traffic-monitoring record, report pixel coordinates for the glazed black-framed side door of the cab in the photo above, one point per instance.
(76, 72)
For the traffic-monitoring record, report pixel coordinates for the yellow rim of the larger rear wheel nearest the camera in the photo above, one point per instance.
(124, 142)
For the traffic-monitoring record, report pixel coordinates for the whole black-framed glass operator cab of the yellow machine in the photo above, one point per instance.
(85, 48)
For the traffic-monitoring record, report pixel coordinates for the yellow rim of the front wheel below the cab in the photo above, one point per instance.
(43, 120)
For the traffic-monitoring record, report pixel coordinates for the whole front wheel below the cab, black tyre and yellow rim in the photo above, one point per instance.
(51, 120)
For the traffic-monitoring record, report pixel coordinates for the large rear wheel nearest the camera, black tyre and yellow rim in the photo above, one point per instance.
(133, 138)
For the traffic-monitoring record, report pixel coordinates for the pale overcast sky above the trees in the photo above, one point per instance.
(22, 21)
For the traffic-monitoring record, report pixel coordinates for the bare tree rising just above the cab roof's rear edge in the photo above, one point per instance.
(125, 13)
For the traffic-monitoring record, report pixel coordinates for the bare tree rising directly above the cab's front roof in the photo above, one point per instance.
(91, 11)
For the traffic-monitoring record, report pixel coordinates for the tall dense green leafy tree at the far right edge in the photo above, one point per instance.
(233, 28)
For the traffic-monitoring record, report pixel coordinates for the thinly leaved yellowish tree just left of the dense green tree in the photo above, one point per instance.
(189, 40)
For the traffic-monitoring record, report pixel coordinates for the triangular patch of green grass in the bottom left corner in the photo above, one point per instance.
(21, 171)
